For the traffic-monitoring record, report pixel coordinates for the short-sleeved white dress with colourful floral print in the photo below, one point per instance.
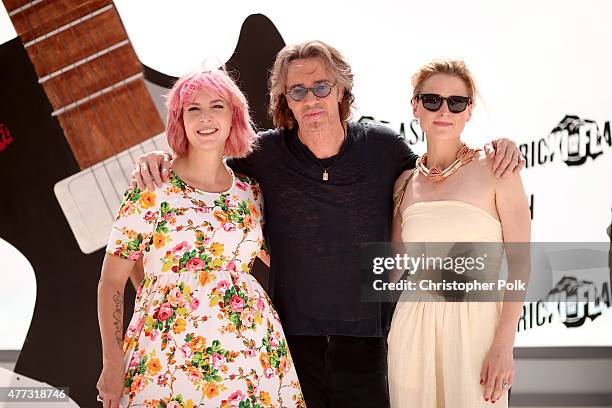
(204, 332)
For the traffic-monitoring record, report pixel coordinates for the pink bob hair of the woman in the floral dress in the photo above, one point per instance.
(240, 141)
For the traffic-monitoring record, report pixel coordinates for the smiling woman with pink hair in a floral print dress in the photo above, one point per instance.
(204, 332)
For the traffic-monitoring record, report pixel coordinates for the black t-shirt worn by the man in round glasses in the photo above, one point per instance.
(314, 228)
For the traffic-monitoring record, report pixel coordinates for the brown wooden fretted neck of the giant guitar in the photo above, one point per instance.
(90, 73)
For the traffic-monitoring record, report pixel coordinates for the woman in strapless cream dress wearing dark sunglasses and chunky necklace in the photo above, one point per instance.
(453, 354)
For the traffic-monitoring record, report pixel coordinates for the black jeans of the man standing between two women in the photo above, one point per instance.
(341, 371)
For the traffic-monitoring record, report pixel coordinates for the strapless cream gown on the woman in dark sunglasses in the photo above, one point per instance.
(436, 349)
